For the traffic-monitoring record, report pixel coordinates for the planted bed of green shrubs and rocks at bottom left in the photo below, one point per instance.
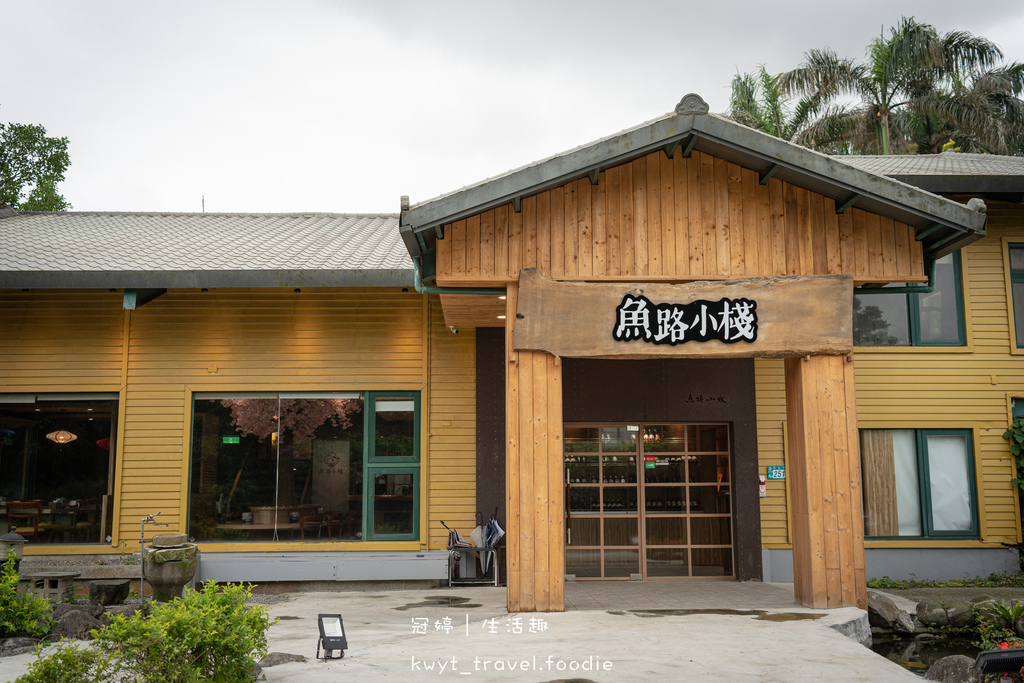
(212, 633)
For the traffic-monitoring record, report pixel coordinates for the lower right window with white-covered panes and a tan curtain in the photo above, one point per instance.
(918, 483)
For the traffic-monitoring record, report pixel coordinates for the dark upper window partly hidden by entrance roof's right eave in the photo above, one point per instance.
(913, 320)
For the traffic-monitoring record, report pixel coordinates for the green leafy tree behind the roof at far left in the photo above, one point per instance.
(32, 165)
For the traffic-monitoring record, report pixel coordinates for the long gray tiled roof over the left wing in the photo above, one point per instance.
(106, 249)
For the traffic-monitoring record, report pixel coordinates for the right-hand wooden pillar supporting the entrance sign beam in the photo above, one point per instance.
(828, 525)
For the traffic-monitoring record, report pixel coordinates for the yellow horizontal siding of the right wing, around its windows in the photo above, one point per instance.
(940, 389)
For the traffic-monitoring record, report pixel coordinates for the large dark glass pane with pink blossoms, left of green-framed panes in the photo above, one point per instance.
(286, 469)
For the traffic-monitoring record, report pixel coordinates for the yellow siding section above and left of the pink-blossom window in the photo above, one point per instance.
(255, 340)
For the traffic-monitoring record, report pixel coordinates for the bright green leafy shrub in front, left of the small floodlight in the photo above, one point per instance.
(208, 634)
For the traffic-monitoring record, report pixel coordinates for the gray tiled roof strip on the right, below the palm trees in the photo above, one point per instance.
(948, 163)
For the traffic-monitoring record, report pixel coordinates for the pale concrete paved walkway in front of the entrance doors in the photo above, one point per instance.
(614, 631)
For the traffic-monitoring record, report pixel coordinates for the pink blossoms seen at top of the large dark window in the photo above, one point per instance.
(300, 417)
